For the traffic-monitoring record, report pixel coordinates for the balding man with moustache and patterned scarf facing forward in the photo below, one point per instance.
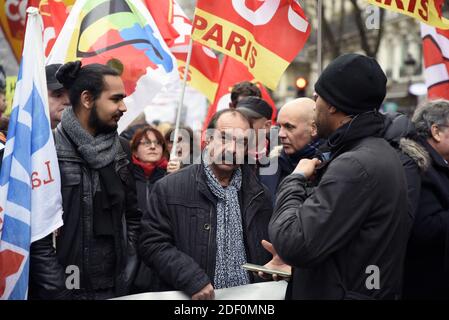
(206, 220)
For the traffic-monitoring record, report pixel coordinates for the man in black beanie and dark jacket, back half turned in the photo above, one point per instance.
(347, 238)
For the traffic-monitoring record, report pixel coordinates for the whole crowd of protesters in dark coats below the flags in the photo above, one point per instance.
(352, 190)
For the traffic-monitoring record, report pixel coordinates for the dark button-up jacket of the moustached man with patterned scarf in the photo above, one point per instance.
(179, 229)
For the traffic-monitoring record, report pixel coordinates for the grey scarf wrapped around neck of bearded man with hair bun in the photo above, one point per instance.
(98, 151)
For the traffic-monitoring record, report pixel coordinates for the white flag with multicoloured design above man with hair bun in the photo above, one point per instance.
(123, 35)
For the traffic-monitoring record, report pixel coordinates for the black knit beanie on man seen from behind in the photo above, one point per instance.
(353, 84)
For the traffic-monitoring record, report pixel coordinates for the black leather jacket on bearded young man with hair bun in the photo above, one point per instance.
(75, 239)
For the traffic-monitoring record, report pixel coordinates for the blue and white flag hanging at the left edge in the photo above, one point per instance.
(30, 186)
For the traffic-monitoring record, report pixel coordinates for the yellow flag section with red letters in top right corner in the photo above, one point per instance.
(426, 11)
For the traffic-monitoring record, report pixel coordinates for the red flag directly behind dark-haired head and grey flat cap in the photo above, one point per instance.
(232, 72)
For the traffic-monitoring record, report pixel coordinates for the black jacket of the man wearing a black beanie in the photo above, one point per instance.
(353, 220)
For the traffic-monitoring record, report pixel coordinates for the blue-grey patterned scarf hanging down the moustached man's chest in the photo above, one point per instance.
(230, 246)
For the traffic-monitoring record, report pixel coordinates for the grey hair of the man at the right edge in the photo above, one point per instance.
(433, 112)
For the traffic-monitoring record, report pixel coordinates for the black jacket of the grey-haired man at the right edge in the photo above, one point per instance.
(427, 260)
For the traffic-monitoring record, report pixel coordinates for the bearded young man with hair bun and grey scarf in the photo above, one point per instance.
(101, 219)
